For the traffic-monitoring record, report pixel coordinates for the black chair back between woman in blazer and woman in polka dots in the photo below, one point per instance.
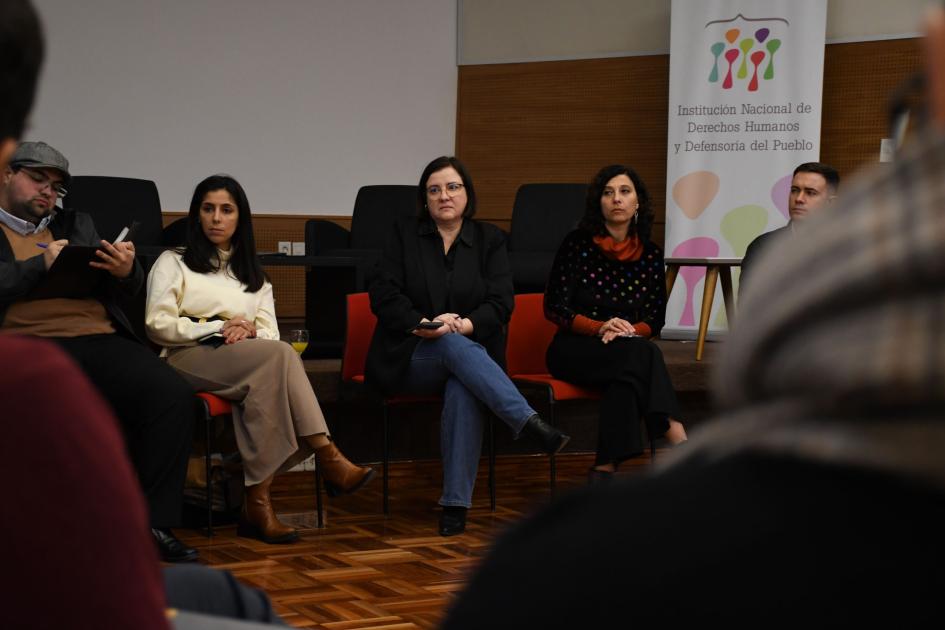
(542, 216)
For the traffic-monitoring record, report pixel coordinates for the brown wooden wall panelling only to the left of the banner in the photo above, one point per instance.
(560, 122)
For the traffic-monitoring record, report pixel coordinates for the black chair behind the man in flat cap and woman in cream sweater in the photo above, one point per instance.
(114, 203)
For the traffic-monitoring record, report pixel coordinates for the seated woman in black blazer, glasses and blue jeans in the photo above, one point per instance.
(443, 296)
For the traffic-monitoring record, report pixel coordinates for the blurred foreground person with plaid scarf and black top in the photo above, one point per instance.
(818, 495)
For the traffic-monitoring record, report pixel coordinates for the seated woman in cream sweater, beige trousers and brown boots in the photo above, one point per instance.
(211, 308)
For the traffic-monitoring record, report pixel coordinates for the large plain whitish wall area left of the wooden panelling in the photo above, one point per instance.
(303, 101)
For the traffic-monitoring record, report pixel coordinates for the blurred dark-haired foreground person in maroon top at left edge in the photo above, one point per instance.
(77, 521)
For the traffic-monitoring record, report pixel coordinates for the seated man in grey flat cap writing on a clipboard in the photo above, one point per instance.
(153, 404)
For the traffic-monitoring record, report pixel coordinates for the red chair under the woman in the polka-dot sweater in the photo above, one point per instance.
(530, 334)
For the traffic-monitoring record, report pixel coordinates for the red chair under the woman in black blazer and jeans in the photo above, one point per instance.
(359, 330)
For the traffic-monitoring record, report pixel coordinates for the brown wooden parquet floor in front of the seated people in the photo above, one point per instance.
(367, 571)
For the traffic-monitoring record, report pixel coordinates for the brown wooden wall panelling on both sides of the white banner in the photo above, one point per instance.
(561, 121)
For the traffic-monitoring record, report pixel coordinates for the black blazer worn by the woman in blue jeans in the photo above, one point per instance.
(410, 284)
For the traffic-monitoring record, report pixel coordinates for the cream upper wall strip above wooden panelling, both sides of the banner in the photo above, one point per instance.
(508, 31)
